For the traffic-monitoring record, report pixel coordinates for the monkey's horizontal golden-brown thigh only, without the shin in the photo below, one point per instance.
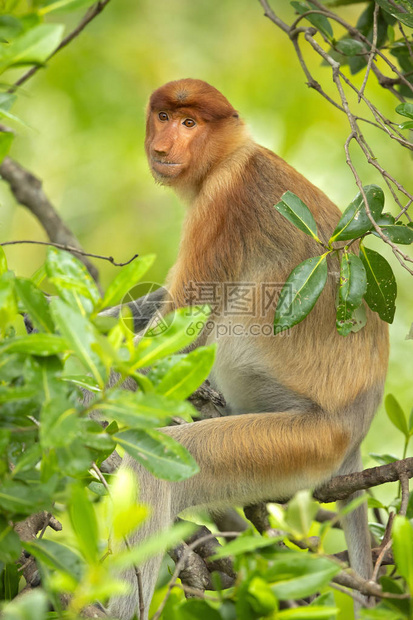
(254, 457)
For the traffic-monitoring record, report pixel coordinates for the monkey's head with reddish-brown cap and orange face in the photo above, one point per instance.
(183, 156)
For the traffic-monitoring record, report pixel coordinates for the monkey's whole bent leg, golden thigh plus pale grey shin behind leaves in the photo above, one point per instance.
(242, 459)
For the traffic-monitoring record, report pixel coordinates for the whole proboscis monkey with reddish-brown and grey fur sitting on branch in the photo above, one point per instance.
(301, 402)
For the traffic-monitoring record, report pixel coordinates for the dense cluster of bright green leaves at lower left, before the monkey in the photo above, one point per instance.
(54, 388)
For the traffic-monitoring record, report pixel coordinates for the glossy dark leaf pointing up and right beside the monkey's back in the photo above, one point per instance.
(355, 222)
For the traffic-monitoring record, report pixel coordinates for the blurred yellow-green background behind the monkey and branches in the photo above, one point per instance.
(85, 116)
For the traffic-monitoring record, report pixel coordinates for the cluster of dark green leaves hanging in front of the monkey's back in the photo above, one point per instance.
(364, 274)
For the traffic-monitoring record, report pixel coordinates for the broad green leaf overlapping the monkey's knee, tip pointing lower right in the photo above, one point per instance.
(160, 454)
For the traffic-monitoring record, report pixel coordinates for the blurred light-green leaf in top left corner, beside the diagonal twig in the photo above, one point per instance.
(32, 47)
